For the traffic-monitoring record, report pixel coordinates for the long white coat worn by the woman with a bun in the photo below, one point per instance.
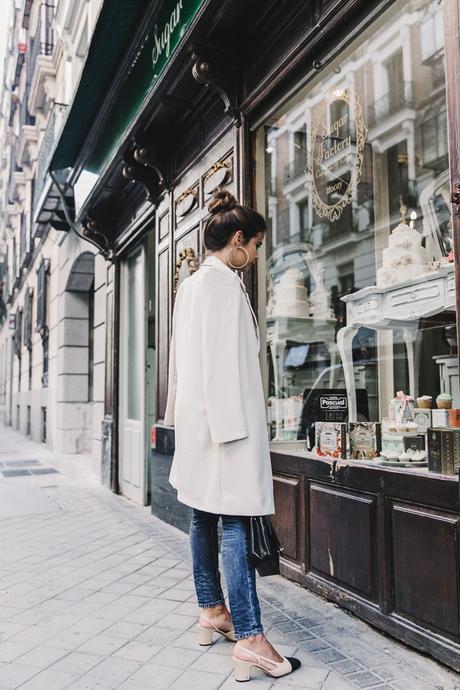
(215, 397)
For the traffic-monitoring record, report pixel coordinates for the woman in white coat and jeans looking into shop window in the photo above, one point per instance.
(221, 466)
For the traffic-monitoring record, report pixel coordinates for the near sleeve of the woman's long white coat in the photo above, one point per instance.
(221, 362)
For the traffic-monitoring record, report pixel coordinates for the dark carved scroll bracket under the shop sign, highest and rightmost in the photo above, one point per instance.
(211, 73)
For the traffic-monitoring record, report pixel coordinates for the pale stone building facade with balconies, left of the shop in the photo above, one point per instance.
(53, 281)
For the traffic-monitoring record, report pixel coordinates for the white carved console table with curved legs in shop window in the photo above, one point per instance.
(396, 306)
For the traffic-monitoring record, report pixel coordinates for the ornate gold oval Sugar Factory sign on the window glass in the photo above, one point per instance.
(338, 135)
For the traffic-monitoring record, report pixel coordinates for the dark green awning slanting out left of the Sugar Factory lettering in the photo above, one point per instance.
(112, 35)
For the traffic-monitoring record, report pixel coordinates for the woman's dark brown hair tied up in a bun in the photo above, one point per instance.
(226, 217)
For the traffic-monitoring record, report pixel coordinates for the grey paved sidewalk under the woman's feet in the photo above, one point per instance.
(97, 594)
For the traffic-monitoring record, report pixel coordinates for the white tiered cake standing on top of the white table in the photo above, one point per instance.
(404, 258)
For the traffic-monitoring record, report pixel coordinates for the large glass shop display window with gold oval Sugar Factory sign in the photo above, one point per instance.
(360, 298)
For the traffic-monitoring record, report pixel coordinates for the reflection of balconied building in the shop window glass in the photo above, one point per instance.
(324, 202)
